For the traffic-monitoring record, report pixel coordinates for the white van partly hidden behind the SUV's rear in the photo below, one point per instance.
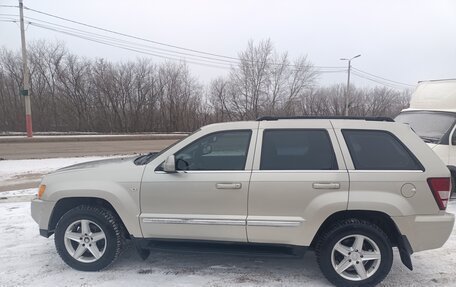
(432, 115)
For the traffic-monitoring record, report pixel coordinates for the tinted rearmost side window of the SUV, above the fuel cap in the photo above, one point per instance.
(379, 150)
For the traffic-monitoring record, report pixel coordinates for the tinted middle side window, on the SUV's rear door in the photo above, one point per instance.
(297, 150)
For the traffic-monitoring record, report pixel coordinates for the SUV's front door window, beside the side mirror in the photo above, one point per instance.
(217, 151)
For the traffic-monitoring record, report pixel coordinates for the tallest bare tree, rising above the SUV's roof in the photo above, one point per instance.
(264, 82)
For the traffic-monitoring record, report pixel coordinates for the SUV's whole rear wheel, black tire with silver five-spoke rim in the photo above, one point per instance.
(354, 253)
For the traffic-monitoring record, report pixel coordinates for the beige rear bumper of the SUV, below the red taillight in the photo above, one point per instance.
(426, 231)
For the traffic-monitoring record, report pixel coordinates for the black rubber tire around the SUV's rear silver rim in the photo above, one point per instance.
(352, 228)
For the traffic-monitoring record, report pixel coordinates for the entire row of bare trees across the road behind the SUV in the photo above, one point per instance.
(70, 93)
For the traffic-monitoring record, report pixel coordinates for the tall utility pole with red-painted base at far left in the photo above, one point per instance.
(26, 75)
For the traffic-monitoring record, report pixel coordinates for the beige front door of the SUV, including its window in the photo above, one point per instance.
(206, 199)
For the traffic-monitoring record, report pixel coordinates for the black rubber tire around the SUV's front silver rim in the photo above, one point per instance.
(100, 218)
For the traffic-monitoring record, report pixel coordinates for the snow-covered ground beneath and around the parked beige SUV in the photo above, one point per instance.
(26, 259)
